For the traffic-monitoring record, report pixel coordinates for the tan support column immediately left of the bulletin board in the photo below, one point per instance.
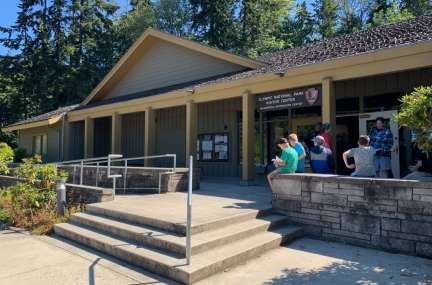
(191, 131)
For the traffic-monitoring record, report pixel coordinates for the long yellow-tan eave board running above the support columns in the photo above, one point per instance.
(380, 62)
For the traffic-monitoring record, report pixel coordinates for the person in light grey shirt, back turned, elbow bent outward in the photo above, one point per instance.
(363, 158)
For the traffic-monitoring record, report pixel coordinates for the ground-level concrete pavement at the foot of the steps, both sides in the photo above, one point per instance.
(44, 260)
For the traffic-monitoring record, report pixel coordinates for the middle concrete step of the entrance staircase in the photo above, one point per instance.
(175, 242)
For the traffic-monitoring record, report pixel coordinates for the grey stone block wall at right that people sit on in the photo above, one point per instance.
(391, 215)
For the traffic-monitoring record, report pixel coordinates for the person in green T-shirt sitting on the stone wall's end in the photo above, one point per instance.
(287, 162)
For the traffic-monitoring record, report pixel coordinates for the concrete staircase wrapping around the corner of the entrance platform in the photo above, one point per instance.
(160, 246)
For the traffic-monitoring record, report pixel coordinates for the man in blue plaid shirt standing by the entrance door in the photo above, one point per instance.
(381, 139)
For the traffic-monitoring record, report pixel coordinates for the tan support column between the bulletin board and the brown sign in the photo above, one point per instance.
(248, 127)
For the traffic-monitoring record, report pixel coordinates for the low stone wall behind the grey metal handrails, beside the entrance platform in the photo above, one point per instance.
(137, 177)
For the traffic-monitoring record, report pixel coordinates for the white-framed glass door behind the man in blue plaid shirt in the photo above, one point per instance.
(367, 122)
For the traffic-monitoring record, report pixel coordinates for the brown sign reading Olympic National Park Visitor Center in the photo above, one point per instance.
(287, 99)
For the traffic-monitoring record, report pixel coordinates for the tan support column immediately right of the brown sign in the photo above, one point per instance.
(329, 108)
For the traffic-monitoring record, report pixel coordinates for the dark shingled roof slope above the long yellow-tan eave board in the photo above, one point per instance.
(384, 37)
